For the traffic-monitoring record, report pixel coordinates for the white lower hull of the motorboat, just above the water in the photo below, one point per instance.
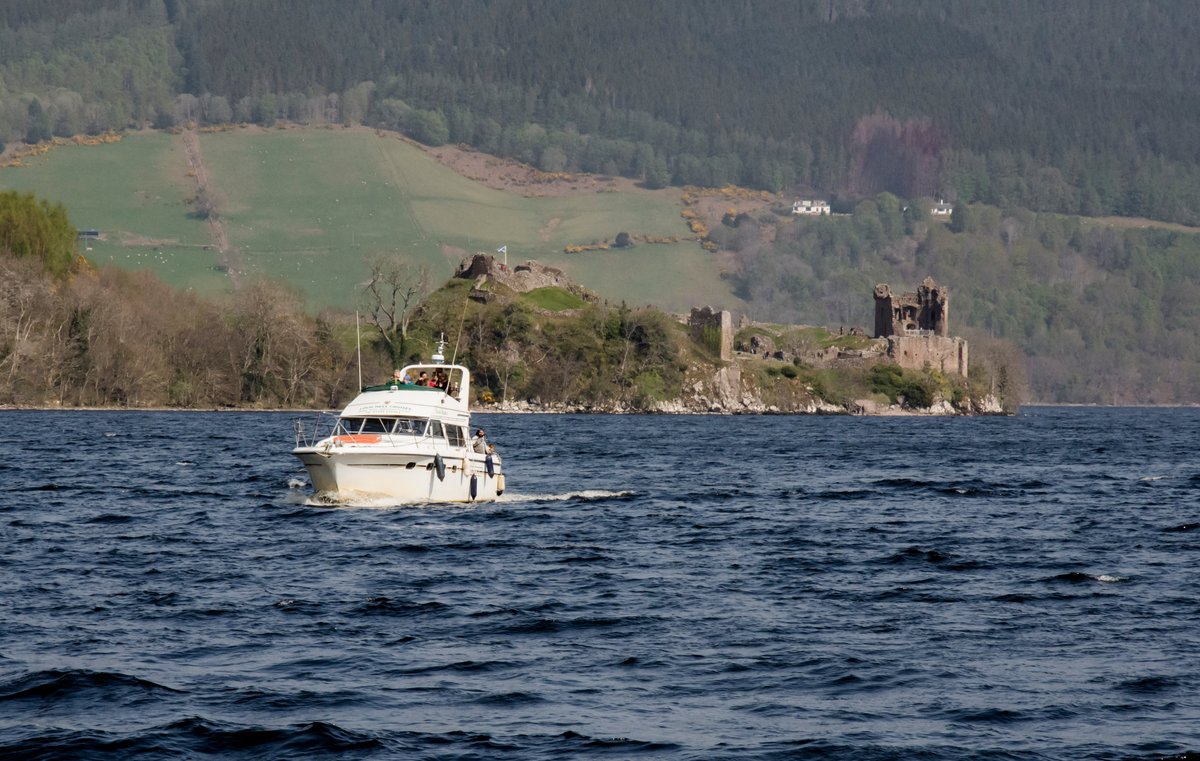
(344, 476)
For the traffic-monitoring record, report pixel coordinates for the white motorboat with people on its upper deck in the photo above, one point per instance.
(403, 441)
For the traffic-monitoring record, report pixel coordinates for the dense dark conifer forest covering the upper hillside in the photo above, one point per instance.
(1075, 109)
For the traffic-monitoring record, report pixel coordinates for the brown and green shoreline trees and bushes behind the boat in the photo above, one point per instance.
(107, 338)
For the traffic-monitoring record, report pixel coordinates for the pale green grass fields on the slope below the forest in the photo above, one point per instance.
(311, 207)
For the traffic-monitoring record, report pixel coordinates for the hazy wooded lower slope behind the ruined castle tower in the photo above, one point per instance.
(1105, 315)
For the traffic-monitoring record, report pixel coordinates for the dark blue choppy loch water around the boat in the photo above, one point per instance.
(652, 588)
